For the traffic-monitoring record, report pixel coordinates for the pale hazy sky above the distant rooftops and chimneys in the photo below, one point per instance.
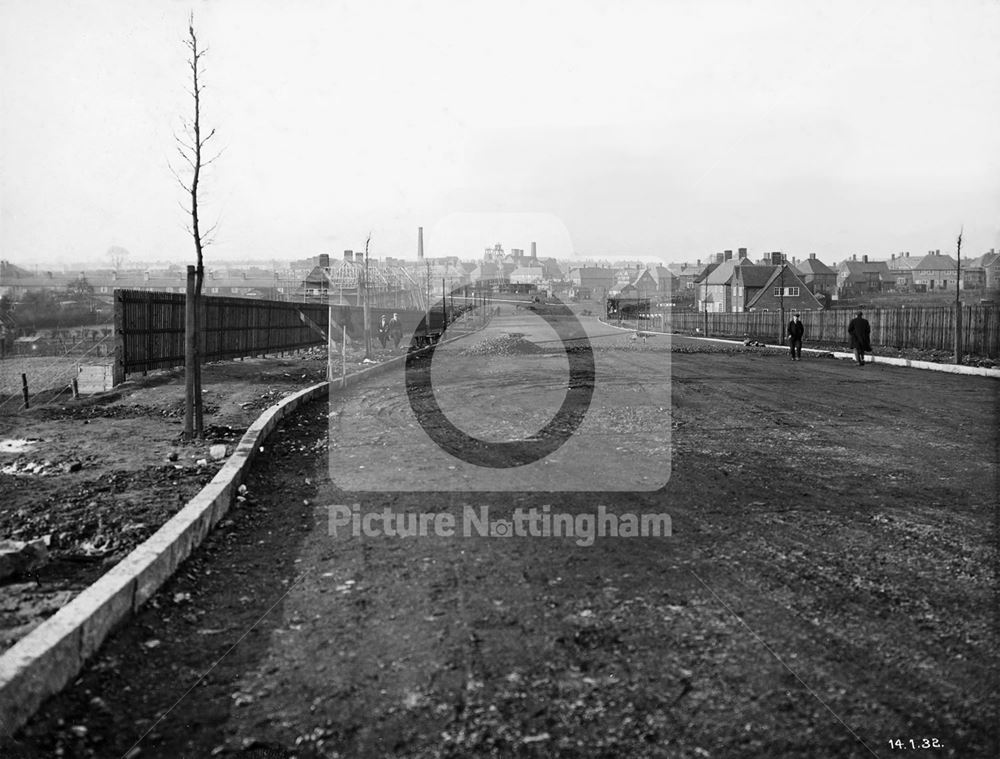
(664, 130)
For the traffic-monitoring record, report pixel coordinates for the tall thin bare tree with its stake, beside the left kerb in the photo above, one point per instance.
(191, 148)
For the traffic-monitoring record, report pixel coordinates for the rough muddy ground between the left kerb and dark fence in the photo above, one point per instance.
(99, 475)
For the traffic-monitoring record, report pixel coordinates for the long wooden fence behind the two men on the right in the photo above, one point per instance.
(930, 328)
